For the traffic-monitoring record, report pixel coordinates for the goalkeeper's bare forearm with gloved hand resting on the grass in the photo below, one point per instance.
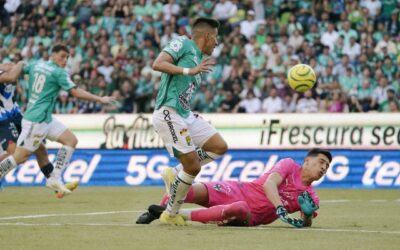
(271, 191)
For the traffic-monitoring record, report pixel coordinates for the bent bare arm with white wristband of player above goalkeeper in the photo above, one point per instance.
(164, 63)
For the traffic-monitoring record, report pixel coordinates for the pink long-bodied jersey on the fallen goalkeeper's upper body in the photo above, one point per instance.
(263, 211)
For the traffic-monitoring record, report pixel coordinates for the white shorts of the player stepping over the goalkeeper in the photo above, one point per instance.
(181, 135)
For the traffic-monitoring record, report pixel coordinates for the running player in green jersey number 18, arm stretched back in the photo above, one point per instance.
(46, 79)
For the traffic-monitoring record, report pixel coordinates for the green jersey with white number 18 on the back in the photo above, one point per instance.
(46, 79)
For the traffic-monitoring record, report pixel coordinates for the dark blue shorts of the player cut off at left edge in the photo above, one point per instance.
(10, 130)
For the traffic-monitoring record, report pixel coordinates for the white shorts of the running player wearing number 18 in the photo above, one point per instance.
(33, 133)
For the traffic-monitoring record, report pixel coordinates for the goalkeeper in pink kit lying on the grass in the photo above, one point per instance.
(278, 193)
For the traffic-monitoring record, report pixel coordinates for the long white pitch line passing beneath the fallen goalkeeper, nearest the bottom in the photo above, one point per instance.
(328, 230)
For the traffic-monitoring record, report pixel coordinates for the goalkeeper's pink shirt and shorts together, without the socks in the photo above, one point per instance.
(262, 210)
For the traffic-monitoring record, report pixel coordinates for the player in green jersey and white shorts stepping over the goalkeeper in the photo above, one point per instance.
(188, 137)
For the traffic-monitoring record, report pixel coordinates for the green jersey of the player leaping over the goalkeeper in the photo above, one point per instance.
(176, 91)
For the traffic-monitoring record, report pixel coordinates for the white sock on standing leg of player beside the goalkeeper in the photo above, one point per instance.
(178, 191)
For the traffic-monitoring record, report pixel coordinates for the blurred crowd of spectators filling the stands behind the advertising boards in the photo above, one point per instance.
(354, 47)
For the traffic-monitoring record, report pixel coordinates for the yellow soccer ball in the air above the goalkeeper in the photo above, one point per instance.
(301, 77)
